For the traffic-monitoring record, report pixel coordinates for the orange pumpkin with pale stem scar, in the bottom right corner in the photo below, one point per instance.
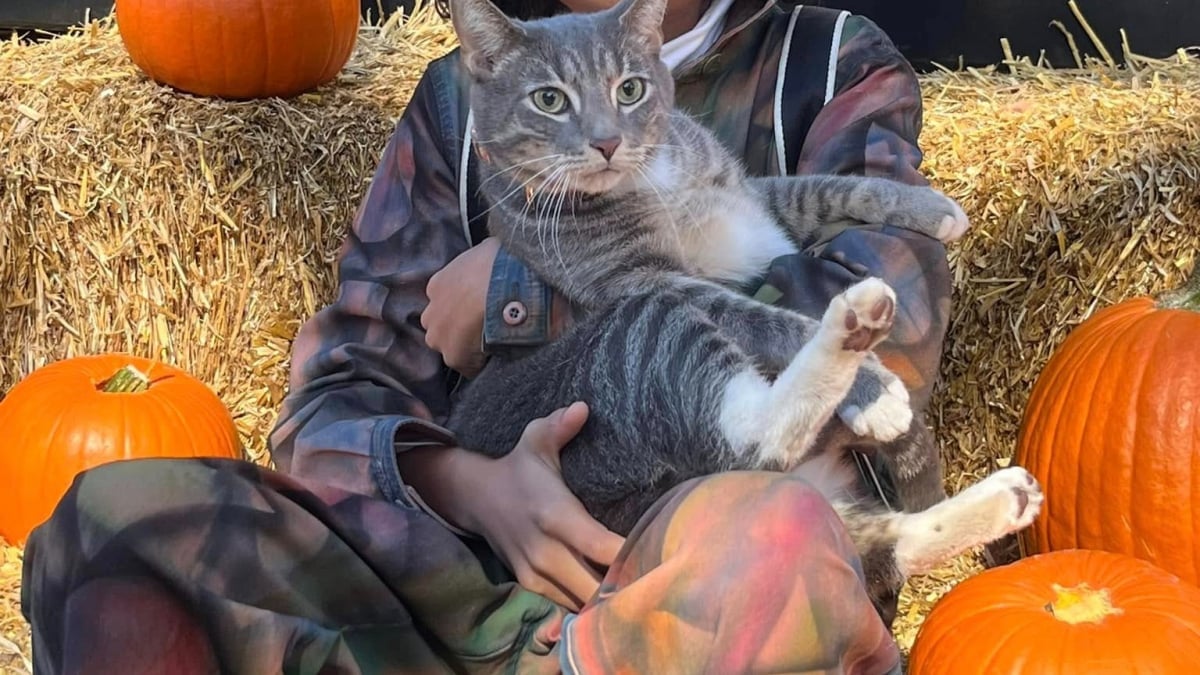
(1087, 613)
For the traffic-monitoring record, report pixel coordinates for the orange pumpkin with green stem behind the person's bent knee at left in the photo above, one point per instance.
(86, 411)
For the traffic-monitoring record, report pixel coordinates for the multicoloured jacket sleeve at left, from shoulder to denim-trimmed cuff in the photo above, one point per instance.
(363, 380)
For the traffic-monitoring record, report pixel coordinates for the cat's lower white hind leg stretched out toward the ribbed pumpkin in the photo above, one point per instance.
(1005, 503)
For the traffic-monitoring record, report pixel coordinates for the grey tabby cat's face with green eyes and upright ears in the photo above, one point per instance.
(572, 104)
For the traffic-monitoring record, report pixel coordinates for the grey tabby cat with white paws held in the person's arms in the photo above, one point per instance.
(650, 228)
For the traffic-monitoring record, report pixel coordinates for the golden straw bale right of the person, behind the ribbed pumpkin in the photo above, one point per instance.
(1084, 190)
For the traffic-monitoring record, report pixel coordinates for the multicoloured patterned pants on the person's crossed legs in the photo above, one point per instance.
(169, 566)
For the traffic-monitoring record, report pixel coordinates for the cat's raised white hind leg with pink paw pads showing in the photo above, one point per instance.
(781, 421)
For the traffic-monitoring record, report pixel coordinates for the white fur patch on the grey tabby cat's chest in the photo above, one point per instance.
(729, 237)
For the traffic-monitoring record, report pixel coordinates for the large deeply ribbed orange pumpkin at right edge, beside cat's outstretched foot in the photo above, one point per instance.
(1113, 434)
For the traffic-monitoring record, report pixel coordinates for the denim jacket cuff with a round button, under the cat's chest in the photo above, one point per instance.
(519, 306)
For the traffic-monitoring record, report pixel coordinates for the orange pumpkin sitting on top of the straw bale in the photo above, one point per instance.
(239, 49)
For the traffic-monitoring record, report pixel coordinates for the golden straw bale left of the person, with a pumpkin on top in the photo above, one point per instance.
(195, 231)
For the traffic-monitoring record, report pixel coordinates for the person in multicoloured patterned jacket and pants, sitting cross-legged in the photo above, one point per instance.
(381, 547)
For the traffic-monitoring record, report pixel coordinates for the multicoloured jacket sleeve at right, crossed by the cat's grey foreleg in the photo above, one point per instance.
(872, 127)
